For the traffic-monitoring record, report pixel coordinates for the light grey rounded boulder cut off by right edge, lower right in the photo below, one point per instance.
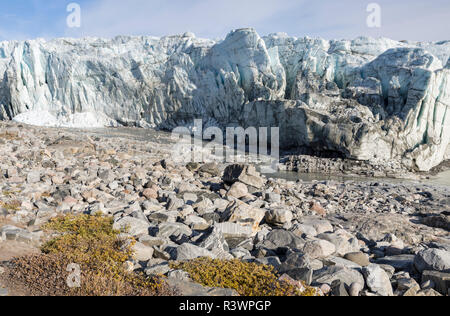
(432, 259)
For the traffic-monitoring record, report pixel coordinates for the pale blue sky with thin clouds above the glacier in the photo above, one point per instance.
(330, 19)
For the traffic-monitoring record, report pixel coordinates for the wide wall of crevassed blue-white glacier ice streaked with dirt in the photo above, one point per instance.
(367, 99)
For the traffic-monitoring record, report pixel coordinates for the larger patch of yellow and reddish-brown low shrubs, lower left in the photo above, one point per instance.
(92, 243)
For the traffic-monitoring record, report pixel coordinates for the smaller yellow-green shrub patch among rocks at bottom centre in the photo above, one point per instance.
(248, 279)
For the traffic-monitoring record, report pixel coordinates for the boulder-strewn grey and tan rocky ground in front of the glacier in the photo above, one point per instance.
(343, 238)
